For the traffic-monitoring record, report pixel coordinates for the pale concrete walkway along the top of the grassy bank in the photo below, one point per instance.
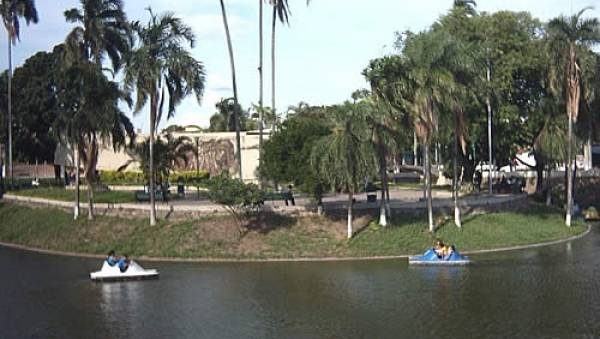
(401, 200)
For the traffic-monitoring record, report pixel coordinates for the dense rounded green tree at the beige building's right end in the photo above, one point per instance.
(287, 153)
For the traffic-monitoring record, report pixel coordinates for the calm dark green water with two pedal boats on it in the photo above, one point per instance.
(550, 292)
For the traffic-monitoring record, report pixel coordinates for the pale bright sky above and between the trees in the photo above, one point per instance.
(320, 55)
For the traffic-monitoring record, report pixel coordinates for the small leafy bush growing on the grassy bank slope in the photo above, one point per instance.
(242, 201)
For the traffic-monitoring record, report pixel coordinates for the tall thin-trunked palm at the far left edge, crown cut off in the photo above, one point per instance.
(11, 11)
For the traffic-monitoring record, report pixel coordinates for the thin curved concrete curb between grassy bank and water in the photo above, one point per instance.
(286, 260)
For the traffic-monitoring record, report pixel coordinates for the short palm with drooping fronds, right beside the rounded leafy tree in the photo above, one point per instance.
(345, 157)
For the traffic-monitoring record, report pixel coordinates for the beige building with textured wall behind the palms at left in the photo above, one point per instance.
(216, 152)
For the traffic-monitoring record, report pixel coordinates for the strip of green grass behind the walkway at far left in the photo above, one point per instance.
(59, 193)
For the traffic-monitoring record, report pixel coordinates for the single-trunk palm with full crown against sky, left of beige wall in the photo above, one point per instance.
(160, 69)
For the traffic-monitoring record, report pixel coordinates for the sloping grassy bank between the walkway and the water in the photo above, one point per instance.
(273, 236)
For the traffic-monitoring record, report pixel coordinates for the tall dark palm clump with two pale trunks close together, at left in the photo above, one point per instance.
(102, 31)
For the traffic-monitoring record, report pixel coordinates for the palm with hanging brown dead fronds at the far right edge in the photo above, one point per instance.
(569, 37)
